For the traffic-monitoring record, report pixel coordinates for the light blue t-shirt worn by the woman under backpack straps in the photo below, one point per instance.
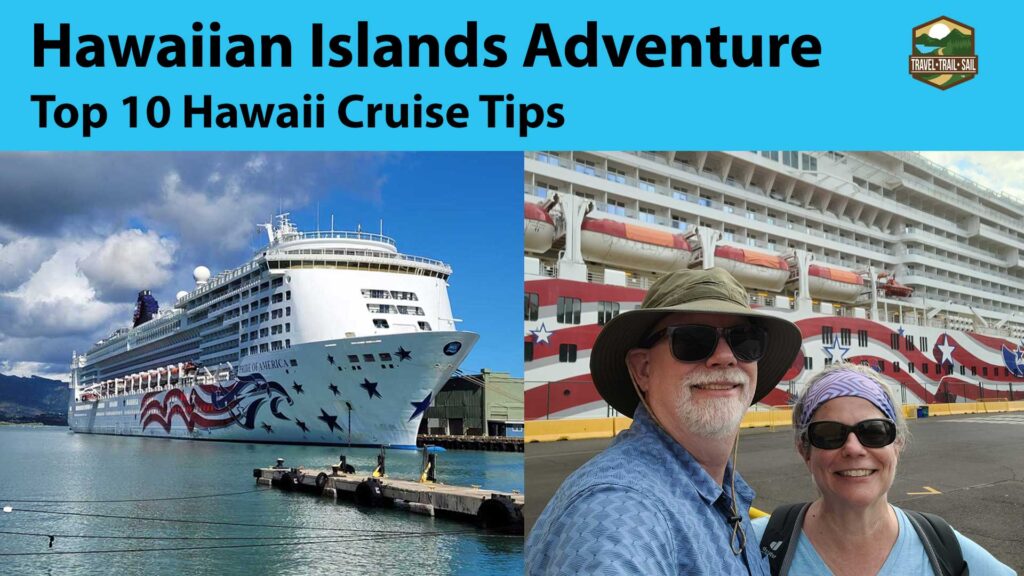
(908, 556)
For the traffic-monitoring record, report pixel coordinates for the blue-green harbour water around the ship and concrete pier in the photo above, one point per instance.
(286, 533)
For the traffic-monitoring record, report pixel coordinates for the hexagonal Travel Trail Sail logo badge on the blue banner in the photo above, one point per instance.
(943, 54)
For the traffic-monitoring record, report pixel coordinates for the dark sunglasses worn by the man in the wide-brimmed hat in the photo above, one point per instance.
(696, 343)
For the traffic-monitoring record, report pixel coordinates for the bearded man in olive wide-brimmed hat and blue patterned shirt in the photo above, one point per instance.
(664, 498)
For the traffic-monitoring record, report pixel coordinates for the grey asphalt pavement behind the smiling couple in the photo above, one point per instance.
(974, 462)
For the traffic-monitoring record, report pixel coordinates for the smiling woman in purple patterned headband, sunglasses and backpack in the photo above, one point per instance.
(850, 433)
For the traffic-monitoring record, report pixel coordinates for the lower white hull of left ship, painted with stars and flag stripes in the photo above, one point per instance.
(364, 392)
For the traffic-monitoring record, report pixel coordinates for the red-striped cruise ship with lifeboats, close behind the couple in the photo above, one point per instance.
(887, 260)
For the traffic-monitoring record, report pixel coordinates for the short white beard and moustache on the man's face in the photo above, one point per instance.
(714, 418)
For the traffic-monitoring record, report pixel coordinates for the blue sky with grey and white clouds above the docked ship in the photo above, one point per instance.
(81, 233)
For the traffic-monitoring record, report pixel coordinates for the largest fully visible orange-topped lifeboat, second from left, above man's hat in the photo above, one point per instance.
(633, 246)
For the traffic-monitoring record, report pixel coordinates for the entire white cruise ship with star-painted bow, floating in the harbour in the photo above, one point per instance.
(323, 338)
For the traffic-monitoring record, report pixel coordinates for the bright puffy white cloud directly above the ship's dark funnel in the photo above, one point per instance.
(129, 262)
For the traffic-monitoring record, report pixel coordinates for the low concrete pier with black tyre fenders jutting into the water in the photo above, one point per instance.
(488, 509)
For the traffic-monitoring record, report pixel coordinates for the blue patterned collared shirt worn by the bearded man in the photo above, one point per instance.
(644, 507)
